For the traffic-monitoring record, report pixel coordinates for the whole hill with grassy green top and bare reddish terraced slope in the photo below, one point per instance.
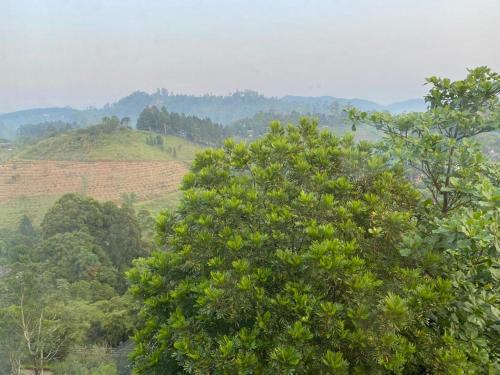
(104, 165)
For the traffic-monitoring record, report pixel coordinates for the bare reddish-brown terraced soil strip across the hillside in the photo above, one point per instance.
(103, 180)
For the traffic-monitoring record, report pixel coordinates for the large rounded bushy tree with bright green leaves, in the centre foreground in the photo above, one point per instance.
(283, 257)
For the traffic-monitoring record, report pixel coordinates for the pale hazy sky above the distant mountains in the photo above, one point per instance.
(89, 52)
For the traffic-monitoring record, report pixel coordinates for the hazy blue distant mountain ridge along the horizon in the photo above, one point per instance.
(220, 109)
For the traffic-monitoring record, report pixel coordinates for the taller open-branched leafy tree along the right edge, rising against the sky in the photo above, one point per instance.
(458, 235)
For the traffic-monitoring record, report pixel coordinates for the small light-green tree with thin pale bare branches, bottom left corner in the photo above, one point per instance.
(35, 319)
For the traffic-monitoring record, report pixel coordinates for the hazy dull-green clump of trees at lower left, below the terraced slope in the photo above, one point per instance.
(61, 290)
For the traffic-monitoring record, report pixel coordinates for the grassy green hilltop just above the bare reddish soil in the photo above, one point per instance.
(121, 144)
